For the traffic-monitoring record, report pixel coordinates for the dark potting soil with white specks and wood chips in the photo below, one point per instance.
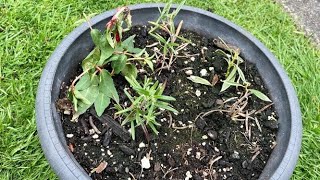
(187, 147)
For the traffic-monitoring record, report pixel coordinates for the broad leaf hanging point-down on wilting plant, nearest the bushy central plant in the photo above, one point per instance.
(106, 85)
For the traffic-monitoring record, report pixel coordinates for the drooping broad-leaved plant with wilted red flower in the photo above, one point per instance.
(95, 84)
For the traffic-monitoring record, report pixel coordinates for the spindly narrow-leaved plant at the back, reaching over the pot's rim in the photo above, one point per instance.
(169, 47)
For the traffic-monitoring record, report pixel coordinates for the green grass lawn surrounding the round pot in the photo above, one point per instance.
(30, 31)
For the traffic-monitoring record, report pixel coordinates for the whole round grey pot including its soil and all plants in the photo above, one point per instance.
(223, 116)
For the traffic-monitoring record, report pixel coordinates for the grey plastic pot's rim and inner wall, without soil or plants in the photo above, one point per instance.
(75, 47)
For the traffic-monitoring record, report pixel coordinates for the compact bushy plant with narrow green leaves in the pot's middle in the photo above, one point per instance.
(145, 106)
